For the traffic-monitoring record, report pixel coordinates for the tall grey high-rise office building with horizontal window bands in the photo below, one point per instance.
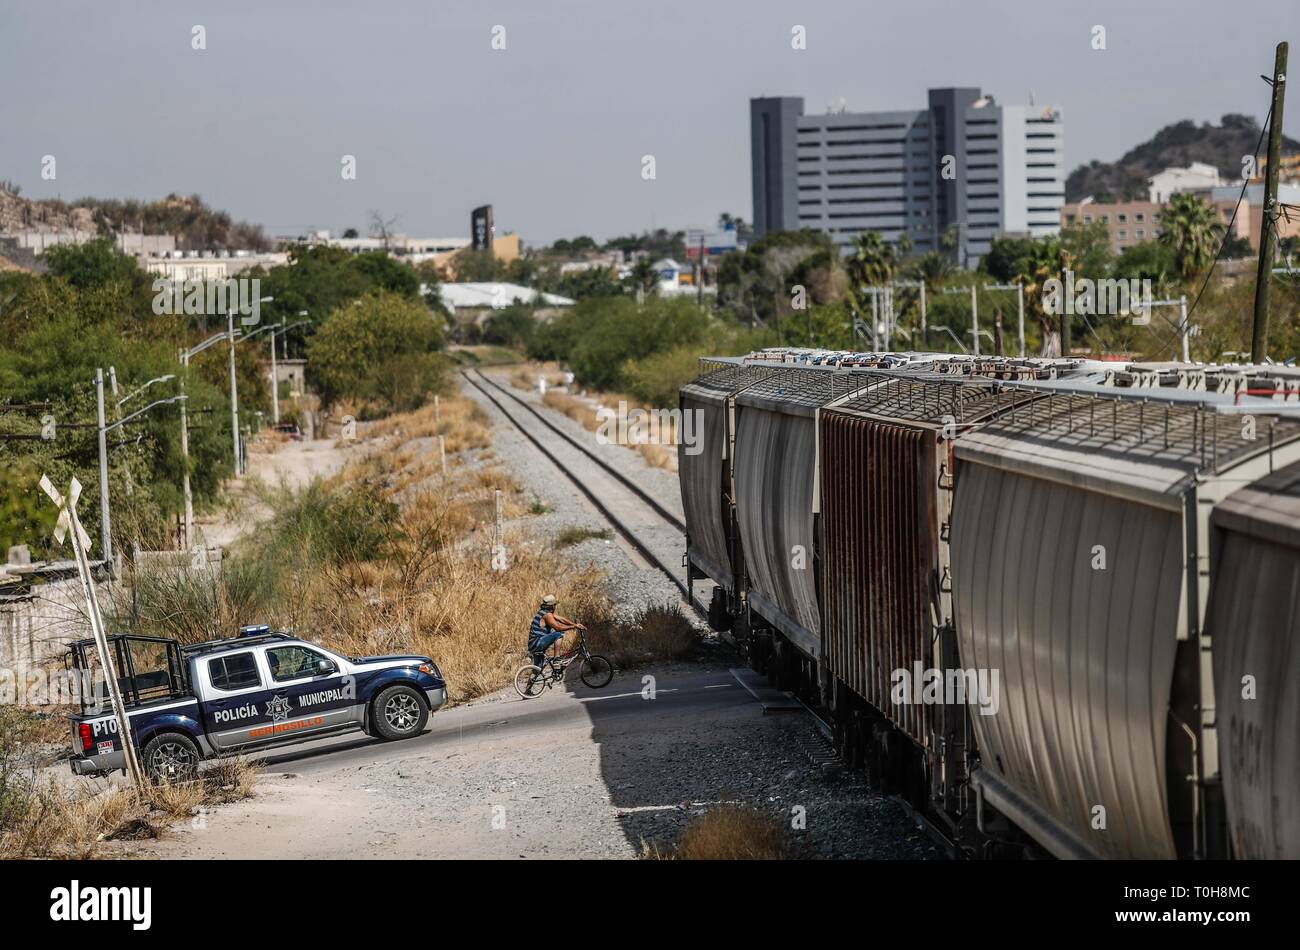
(963, 166)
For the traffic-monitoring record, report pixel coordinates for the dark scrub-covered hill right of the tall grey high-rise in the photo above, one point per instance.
(1180, 145)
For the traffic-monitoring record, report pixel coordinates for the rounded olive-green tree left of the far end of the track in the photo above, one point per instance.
(382, 352)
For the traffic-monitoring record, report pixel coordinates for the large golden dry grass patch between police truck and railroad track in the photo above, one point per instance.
(437, 592)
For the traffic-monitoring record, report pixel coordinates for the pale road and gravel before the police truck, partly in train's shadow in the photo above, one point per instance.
(570, 775)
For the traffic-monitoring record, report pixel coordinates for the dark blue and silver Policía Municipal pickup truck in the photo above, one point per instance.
(252, 692)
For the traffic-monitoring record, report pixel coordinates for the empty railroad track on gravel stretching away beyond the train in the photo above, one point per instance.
(512, 407)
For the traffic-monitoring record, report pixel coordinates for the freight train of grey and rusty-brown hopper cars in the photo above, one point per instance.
(1051, 605)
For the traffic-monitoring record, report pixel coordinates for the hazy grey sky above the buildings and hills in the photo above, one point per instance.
(552, 129)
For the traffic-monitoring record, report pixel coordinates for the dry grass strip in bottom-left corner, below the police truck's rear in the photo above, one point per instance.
(73, 823)
